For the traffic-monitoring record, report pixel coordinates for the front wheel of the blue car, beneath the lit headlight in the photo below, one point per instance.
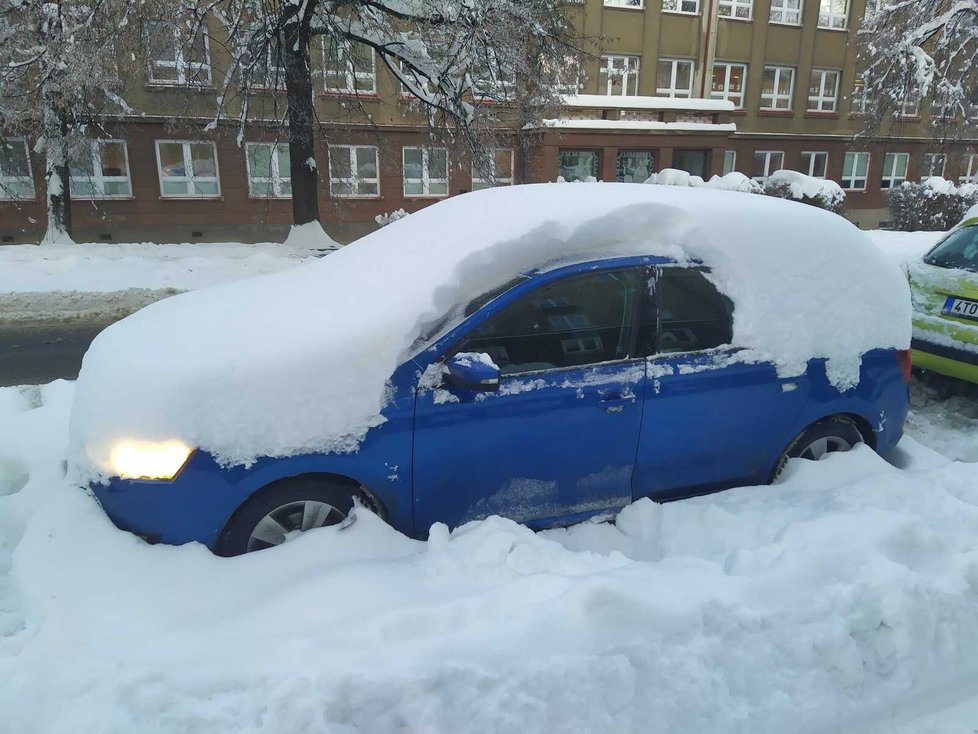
(284, 509)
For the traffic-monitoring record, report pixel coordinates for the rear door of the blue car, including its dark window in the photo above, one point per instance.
(711, 419)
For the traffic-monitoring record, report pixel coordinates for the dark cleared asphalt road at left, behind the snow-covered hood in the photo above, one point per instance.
(38, 352)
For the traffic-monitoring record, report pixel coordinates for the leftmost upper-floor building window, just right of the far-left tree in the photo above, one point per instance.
(172, 61)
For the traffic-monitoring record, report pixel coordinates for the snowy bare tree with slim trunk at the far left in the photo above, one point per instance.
(59, 78)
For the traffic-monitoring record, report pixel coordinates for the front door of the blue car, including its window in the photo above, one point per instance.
(556, 442)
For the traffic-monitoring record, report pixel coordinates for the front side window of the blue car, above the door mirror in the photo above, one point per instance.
(578, 321)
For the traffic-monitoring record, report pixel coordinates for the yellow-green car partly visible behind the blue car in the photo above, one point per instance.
(944, 288)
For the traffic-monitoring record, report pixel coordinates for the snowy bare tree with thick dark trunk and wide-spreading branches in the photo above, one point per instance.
(475, 67)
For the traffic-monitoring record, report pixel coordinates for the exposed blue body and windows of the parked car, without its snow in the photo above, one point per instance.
(563, 394)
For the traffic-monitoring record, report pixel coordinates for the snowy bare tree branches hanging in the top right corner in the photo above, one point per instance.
(920, 52)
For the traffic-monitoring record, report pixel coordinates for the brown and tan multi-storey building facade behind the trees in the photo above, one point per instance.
(708, 86)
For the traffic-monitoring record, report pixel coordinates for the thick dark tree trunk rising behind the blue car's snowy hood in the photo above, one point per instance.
(302, 141)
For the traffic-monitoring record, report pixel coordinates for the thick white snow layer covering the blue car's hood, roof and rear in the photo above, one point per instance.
(299, 361)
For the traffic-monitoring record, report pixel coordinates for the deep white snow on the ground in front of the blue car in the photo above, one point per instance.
(844, 598)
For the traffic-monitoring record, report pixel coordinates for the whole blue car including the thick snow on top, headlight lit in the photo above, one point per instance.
(548, 353)
